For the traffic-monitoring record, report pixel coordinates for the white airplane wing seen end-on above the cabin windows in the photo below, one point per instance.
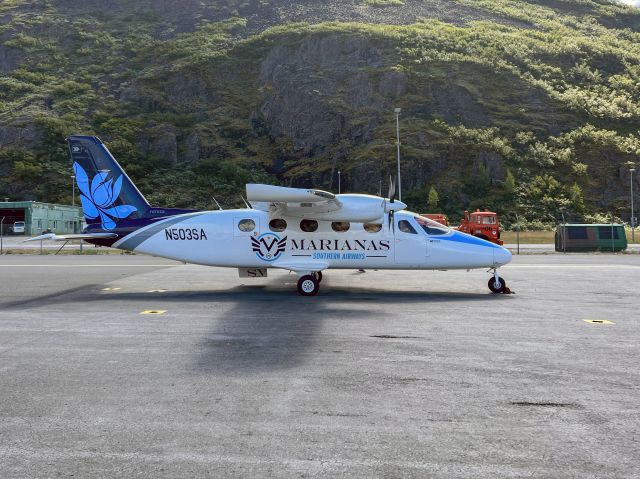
(291, 201)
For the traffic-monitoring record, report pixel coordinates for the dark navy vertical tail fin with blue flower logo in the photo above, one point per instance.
(107, 194)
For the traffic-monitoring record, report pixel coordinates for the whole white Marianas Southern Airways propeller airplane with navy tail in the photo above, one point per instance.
(305, 231)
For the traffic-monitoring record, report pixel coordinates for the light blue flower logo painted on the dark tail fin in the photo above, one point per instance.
(98, 197)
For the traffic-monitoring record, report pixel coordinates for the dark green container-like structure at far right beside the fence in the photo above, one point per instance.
(572, 238)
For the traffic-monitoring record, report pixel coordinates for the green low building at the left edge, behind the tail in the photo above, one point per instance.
(39, 217)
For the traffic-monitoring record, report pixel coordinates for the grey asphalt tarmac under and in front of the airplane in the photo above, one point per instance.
(383, 374)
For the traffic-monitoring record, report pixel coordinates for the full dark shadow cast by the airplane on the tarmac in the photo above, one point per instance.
(269, 326)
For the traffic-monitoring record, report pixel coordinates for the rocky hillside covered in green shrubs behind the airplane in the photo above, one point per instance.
(528, 107)
